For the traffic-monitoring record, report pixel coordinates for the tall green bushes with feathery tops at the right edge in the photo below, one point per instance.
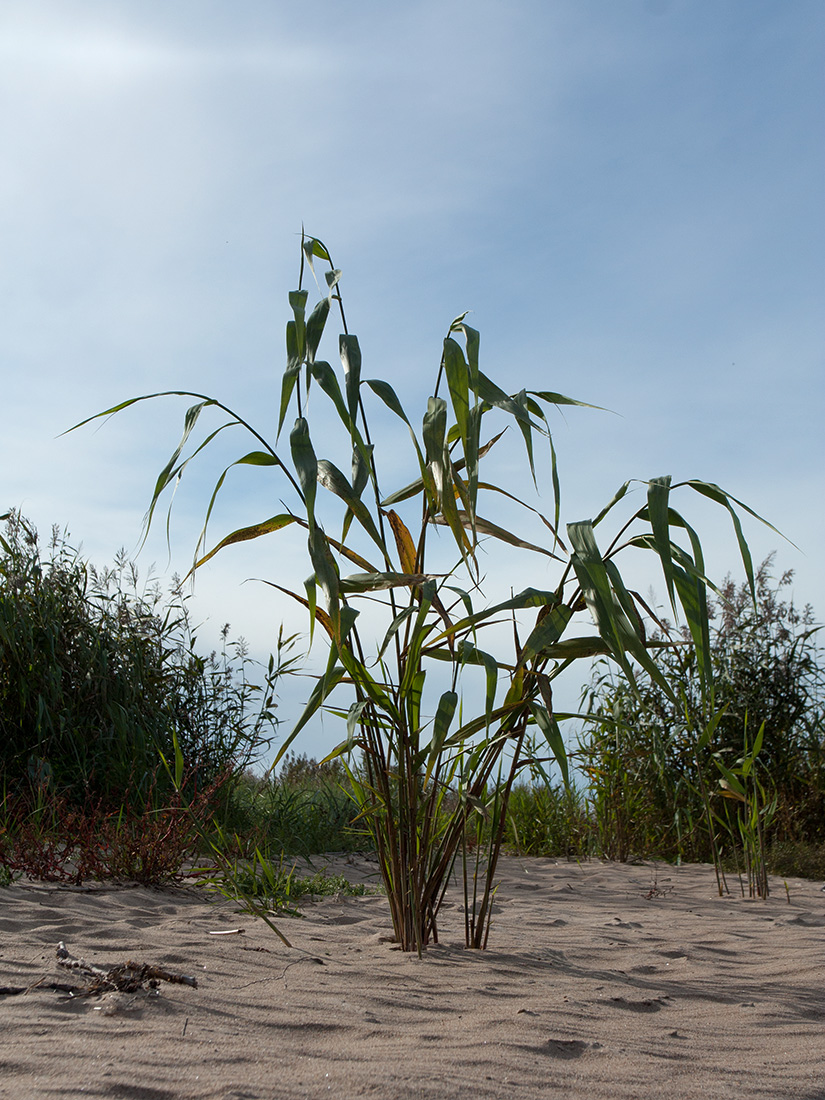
(643, 754)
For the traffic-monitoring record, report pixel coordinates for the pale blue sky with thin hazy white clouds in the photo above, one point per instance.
(629, 196)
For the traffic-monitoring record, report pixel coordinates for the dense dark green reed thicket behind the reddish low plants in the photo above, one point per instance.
(98, 675)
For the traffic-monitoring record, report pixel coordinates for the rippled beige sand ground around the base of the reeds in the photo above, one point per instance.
(601, 981)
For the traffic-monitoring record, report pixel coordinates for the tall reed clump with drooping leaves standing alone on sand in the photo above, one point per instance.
(423, 745)
